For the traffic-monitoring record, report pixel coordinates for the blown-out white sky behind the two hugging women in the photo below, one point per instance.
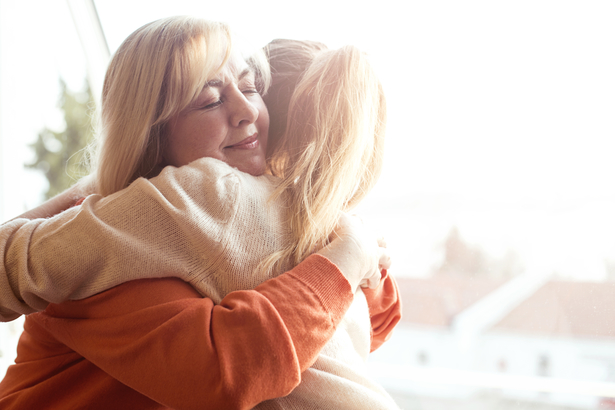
(501, 114)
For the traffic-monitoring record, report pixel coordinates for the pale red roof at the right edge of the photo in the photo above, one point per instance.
(565, 309)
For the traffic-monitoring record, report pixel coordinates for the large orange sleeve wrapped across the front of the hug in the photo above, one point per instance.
(159, 337)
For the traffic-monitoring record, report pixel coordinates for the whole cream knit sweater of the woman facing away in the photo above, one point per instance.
(206, 223)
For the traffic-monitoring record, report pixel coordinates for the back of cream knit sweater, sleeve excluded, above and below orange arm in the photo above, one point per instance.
(338, 379)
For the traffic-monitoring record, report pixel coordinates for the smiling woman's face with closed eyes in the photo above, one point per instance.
(227, 121)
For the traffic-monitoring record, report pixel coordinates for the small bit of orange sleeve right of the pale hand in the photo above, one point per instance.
(384, 309)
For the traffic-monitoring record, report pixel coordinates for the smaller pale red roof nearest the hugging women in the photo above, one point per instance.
(436, 300)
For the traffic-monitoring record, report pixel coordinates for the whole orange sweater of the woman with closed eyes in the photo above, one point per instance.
(155, 343)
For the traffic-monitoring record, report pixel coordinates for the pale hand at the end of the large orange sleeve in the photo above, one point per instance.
(357, 252)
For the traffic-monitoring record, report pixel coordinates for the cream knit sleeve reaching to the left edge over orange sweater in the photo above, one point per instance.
(147, 230)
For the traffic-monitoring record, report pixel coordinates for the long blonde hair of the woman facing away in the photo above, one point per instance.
(331, 153)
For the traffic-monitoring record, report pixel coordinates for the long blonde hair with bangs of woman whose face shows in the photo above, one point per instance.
(157, 71)
